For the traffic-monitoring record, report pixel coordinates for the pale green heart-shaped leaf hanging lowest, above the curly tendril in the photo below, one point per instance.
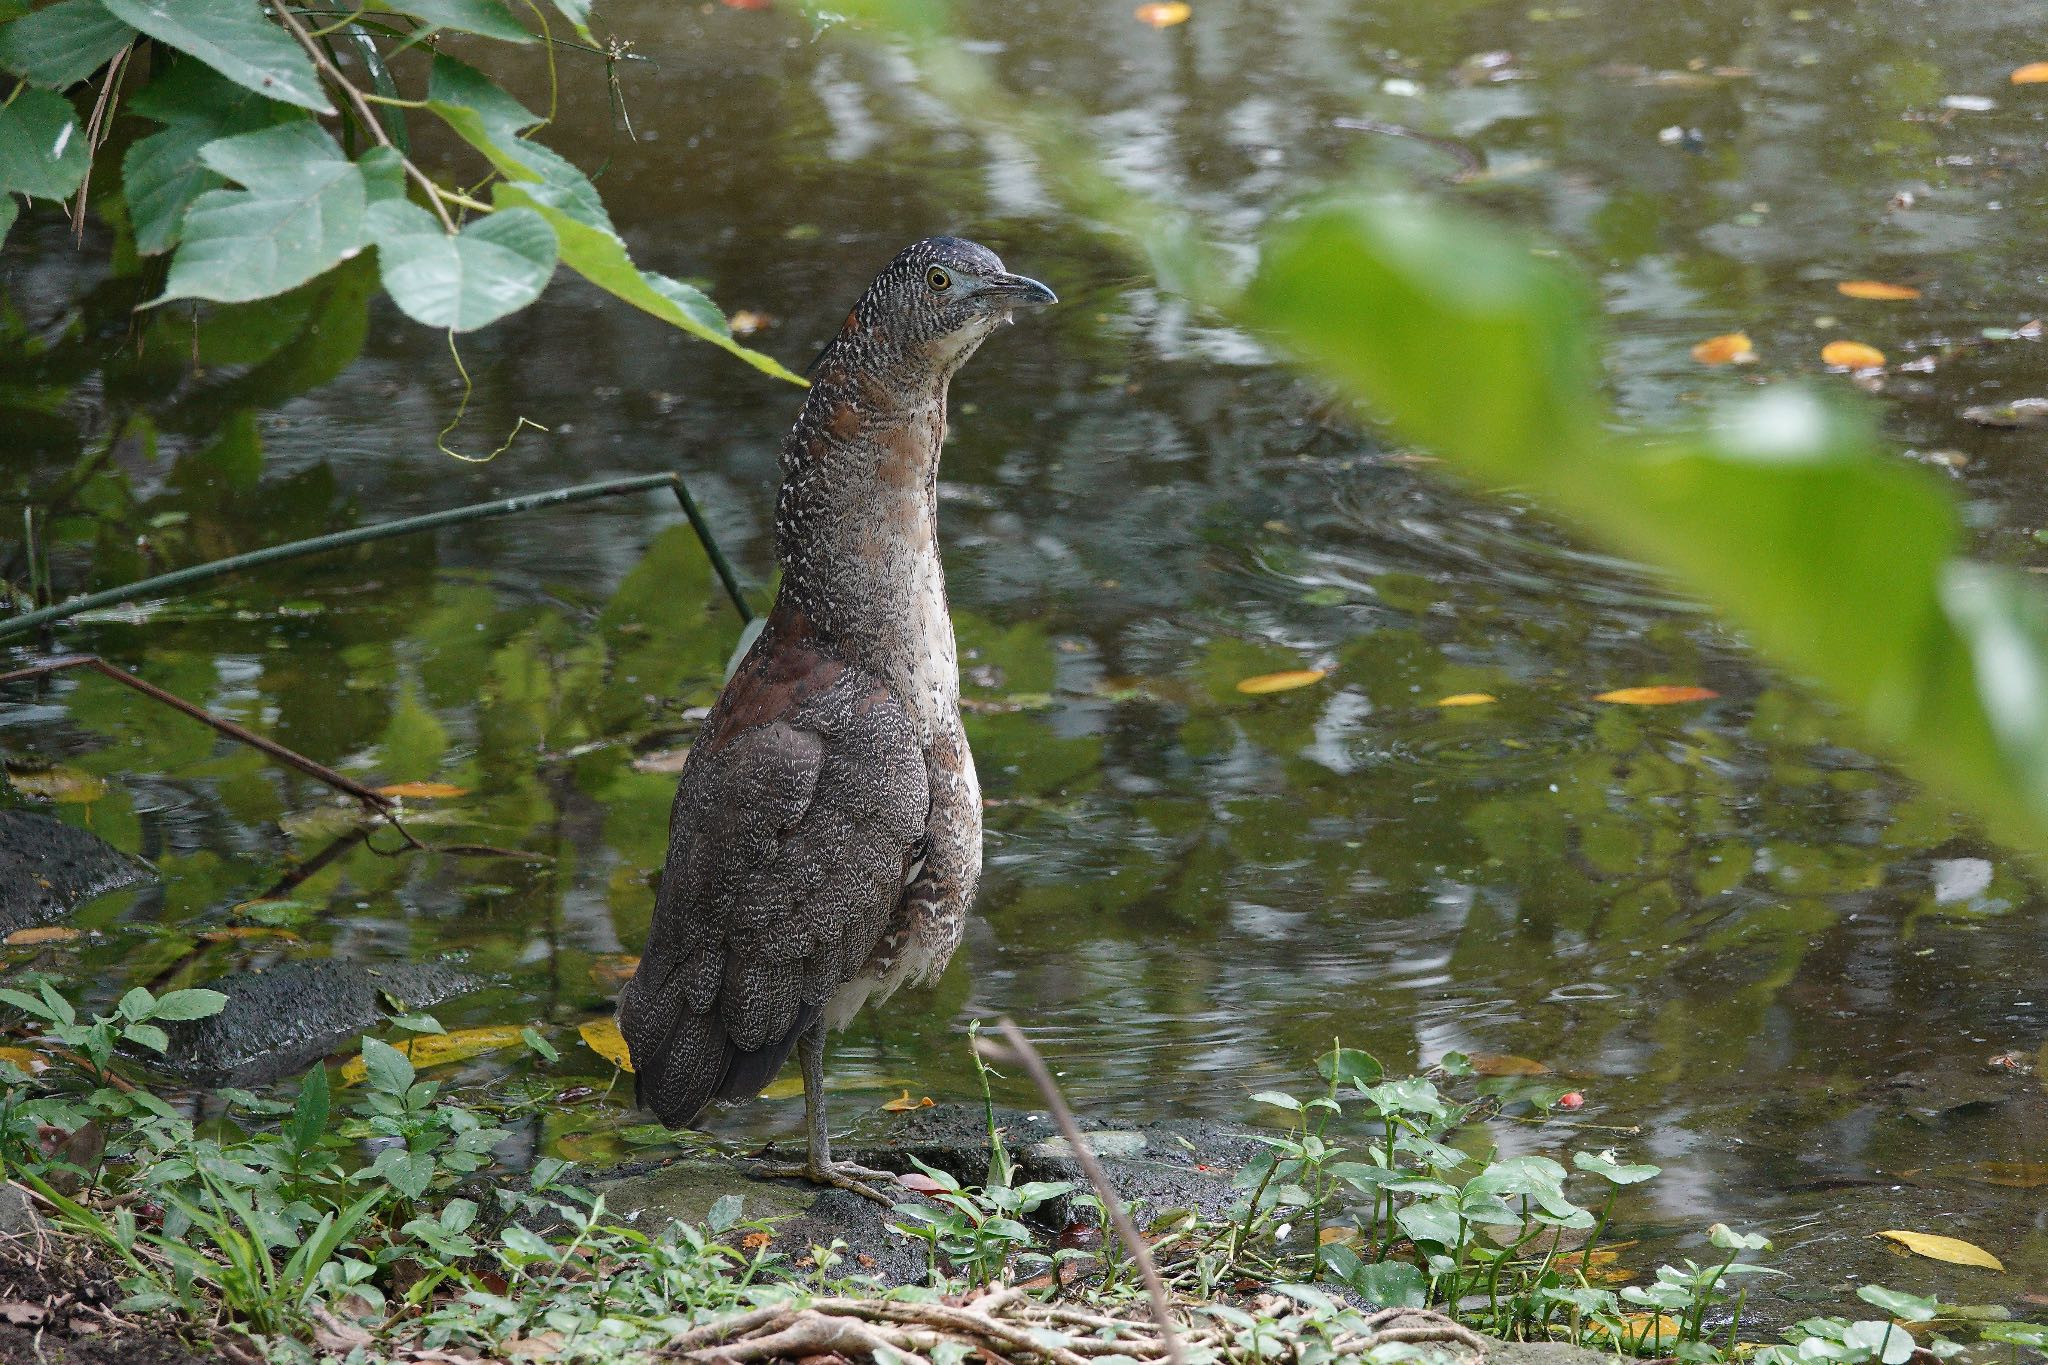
(495, 267)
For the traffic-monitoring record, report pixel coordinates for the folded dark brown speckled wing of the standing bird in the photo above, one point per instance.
(796, 820)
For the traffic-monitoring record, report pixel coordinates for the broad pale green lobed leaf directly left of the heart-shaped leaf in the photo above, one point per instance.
(300, 214)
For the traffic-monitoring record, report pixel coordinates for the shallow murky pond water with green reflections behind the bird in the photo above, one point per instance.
(1764, 959)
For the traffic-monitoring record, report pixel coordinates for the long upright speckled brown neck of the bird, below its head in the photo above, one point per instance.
(857, 531)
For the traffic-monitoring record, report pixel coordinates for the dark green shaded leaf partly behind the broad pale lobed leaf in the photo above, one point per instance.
(163, 173)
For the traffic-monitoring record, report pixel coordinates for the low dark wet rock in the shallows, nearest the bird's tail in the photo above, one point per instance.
(284, 1020)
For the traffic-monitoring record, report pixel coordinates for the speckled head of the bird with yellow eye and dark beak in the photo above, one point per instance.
(941, 298)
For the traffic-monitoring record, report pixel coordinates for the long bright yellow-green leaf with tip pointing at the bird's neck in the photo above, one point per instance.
(589, 245)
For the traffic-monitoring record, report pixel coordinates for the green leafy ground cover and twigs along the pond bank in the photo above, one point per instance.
(374, 1221)
